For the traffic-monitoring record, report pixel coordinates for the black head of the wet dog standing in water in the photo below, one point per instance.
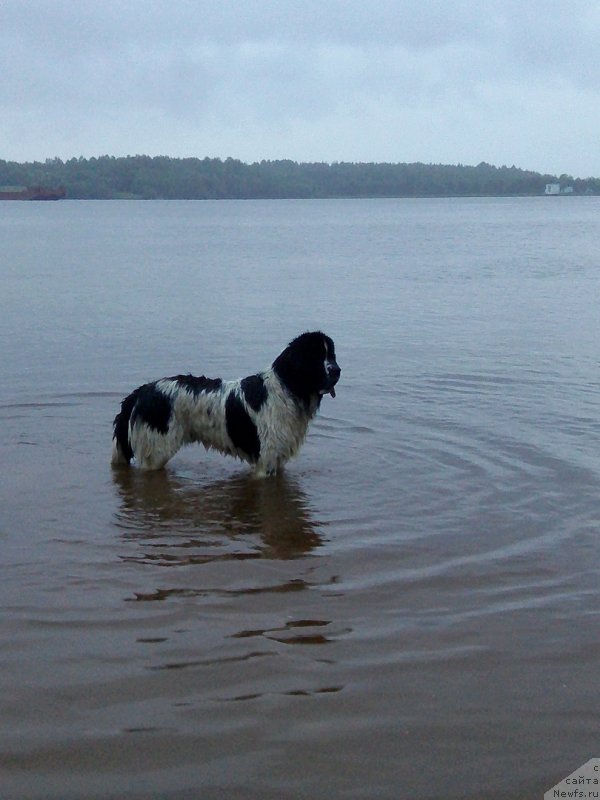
(307, 367)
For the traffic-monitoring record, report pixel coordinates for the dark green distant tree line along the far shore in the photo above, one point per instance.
(162, 177)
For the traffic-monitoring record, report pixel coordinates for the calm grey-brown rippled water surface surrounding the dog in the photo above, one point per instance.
(411, 611)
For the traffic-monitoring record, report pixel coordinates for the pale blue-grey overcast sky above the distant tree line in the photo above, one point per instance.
(457, 81)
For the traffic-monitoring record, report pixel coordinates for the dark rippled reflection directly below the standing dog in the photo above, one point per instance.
(185, 522)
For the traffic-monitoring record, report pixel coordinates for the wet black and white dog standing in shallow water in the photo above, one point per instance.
(261, 419)
